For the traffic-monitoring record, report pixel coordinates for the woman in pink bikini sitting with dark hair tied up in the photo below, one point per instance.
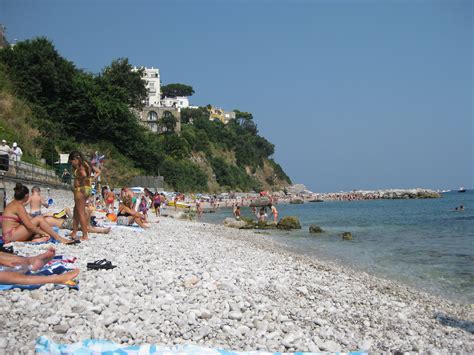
(17, 225)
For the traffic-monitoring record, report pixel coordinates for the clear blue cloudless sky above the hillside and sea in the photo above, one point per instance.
(354, 94)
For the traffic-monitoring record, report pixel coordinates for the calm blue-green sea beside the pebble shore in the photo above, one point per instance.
(424, 243)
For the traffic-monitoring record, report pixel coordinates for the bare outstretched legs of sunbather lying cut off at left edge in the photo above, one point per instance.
(14, 267)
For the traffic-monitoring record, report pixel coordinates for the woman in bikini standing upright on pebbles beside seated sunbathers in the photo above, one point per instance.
(82, 191)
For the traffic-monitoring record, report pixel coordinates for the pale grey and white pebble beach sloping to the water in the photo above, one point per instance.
(189, 282)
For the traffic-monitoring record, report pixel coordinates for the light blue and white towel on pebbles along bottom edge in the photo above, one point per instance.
(95, 346)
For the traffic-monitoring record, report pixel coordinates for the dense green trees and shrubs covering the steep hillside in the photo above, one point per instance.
(69, 108)
